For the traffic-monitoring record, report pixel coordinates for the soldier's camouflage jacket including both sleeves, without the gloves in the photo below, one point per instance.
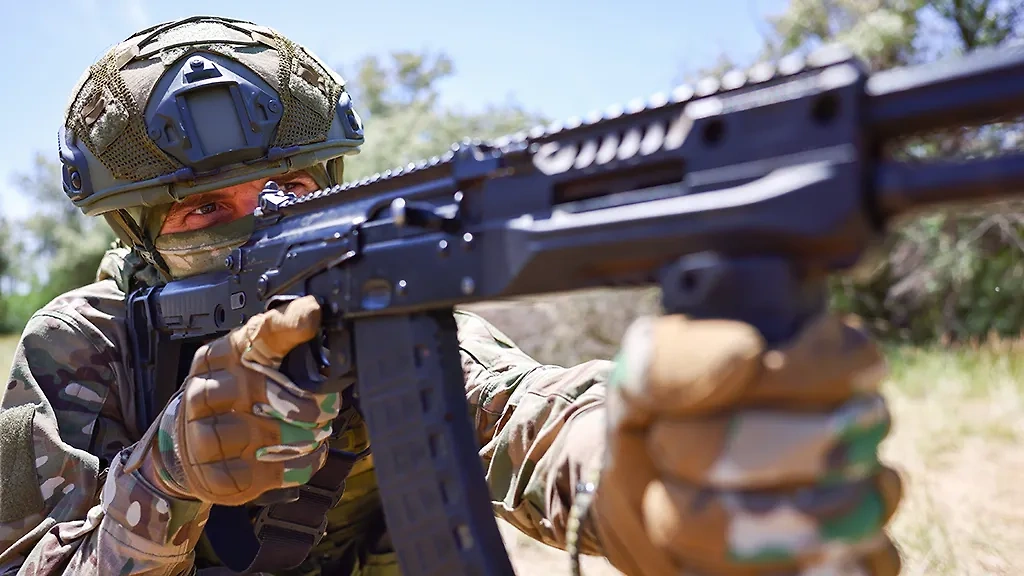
(67, 425)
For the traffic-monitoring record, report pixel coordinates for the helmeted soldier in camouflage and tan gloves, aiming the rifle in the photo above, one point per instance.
(690, 479)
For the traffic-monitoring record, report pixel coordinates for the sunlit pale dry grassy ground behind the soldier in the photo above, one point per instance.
(959, 427)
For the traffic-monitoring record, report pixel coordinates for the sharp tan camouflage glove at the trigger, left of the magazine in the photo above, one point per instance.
(240, 428)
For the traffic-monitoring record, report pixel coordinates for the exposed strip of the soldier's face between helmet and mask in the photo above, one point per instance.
(228, 204)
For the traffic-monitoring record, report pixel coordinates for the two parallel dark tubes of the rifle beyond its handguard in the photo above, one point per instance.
(984, 87)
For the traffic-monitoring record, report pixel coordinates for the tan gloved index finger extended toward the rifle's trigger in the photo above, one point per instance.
(271, 336)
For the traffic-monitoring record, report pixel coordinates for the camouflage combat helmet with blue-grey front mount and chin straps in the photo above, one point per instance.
(197, 105)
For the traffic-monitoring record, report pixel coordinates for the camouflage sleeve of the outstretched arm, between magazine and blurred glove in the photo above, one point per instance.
(541, 430)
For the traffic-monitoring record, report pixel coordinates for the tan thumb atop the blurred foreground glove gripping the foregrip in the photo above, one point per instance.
(692, 367)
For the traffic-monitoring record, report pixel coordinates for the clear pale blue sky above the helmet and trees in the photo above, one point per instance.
(558, 58)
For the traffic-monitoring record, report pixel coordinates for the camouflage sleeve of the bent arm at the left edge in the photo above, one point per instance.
(68, 507)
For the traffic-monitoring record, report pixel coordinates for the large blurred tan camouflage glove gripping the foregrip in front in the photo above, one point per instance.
(726, 458)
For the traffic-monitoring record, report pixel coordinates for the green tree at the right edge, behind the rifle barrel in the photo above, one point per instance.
(948, 275)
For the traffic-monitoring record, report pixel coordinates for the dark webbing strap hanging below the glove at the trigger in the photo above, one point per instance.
(284, 533)
